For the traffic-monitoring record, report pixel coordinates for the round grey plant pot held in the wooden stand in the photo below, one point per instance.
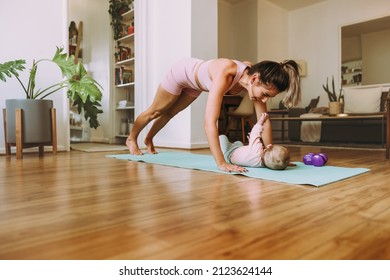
(36, 120)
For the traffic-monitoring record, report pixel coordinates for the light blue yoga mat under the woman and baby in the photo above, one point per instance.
(301, 174)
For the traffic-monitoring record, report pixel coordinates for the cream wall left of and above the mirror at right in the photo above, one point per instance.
(314, 35)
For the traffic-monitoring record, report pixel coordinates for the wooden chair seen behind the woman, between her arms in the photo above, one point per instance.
(241, 115)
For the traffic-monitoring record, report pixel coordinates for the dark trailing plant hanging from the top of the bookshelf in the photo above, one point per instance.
(116, 9)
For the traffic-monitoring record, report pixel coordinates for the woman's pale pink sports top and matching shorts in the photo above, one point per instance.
(181, 77)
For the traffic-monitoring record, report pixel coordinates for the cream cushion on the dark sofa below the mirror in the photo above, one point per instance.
(362, 100)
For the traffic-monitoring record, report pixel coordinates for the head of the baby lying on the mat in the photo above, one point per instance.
(276, 157)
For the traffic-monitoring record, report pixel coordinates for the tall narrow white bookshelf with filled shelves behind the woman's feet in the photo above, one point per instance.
(124, 87)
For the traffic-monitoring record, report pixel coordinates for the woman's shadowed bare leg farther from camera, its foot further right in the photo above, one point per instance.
(183, 102)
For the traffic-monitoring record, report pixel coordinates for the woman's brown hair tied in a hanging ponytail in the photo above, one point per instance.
(284, 76)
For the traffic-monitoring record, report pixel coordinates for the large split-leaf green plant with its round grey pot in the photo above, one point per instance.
(83, 92)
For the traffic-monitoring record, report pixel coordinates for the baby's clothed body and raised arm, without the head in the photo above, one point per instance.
(250, 155)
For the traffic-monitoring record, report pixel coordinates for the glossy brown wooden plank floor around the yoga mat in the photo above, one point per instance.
(78, 205)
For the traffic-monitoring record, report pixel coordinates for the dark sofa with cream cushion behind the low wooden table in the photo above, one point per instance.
(357, 101)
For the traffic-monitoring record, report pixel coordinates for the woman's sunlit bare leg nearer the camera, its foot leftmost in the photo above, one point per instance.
(161, 103)
